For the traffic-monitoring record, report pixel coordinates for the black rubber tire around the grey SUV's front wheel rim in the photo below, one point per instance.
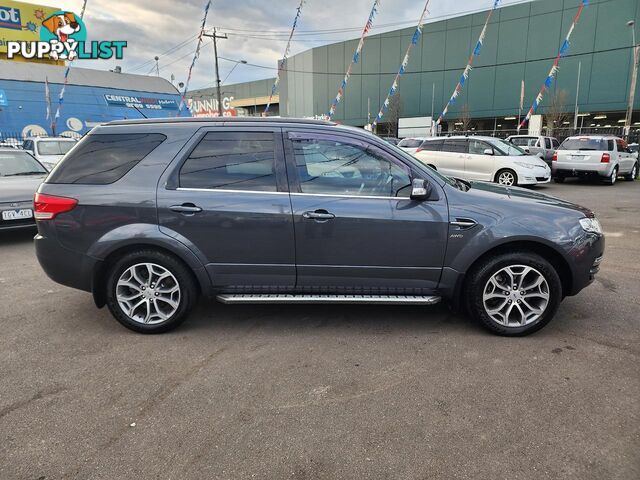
(479, 276)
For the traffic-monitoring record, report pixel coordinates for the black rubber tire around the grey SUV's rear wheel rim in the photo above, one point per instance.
(188, 291)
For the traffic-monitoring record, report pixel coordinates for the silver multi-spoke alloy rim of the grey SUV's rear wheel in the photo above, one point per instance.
(148, 293)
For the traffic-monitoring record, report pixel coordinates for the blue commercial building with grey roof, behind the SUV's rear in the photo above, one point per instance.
(91, 97)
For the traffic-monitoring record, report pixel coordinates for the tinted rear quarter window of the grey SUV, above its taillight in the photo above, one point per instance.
(103, 159)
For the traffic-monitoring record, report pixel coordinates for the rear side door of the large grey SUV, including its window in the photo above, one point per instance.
(227, 199)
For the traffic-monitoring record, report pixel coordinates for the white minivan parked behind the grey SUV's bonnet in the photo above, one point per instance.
(483, 158)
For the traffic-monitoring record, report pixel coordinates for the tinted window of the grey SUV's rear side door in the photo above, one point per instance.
(232, 161)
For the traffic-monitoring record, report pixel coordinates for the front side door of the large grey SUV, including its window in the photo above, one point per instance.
(356, 228)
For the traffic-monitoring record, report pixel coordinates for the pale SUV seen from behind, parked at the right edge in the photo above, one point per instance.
(603, 156)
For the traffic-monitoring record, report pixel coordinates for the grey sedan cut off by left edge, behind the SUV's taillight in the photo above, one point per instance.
(20, 175)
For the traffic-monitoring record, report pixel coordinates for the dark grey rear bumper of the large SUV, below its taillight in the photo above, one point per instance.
(64, 266)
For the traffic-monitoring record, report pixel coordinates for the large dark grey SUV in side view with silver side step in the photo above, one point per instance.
(148, 215)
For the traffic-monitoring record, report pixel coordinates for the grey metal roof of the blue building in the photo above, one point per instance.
(37, 72)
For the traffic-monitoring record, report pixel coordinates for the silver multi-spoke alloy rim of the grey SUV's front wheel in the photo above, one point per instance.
(516, 296)
